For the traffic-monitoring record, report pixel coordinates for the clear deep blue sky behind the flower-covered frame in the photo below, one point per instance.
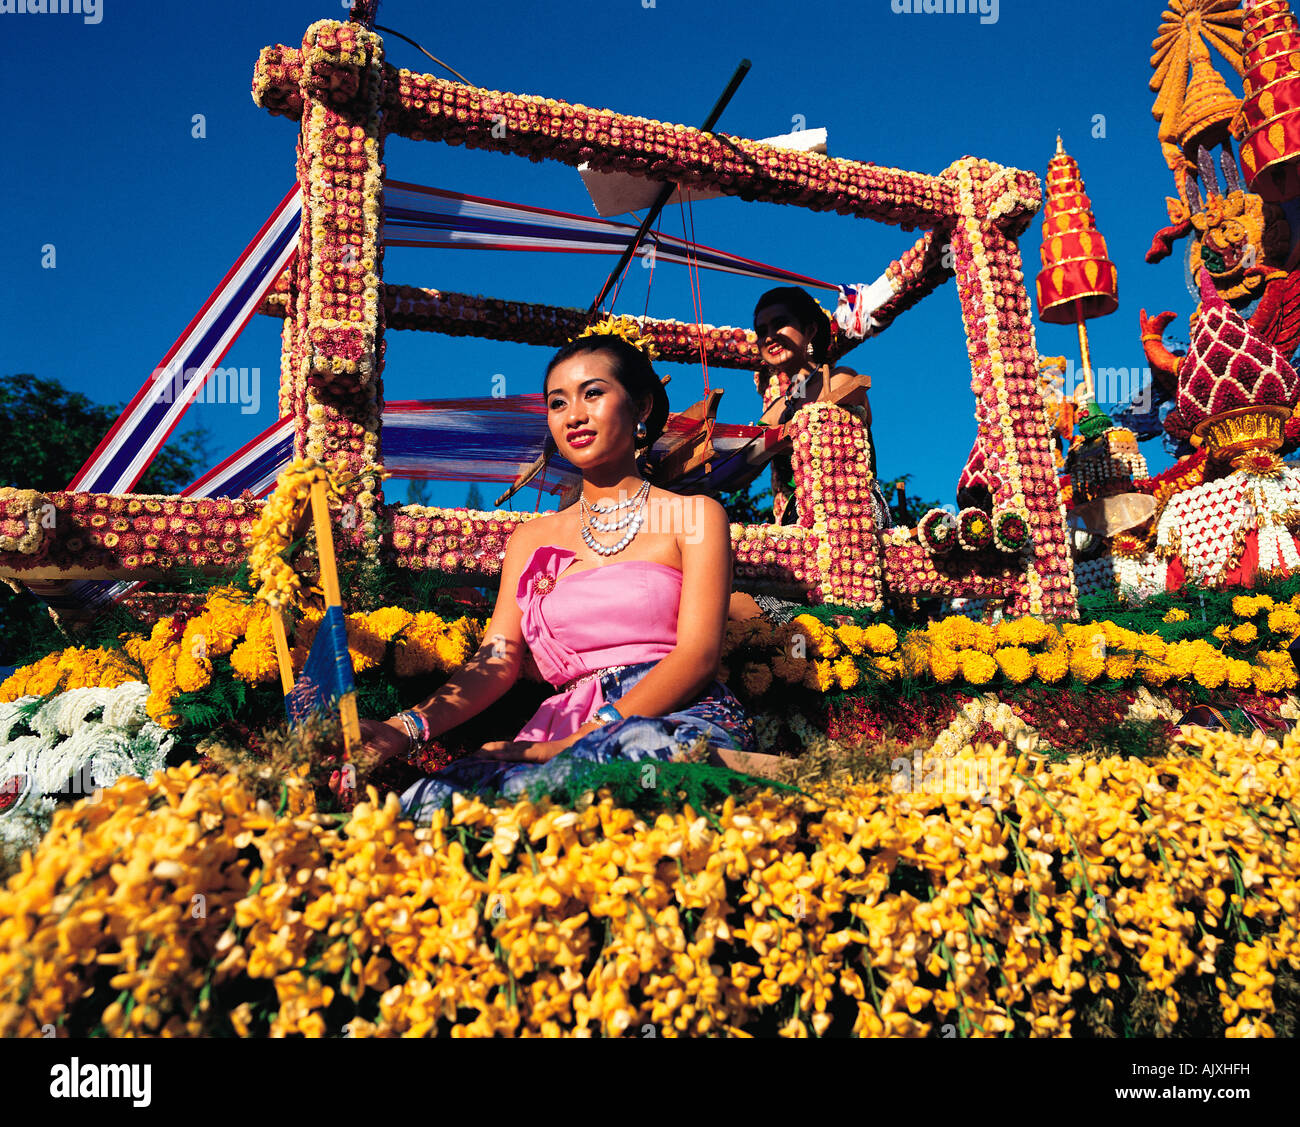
(146, 219)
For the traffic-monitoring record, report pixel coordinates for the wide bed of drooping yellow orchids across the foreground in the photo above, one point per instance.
(1047, 900)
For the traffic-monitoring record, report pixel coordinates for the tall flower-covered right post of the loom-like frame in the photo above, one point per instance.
(1009, 411)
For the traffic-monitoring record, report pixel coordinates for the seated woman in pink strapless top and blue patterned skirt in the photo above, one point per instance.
(622, 599)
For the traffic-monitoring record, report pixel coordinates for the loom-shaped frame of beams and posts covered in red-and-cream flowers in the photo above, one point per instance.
(336, 309)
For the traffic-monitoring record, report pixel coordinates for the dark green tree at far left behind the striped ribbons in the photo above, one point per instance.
(49, 435)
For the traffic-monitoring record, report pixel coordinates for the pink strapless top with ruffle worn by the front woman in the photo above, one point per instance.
(618, 614)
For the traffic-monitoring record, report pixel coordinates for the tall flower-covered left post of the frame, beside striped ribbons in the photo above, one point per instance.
(337, 341)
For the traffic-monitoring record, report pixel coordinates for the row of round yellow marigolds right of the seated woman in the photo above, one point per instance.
(959, 651)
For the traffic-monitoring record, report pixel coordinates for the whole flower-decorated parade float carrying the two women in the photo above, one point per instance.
(1029, 766)
